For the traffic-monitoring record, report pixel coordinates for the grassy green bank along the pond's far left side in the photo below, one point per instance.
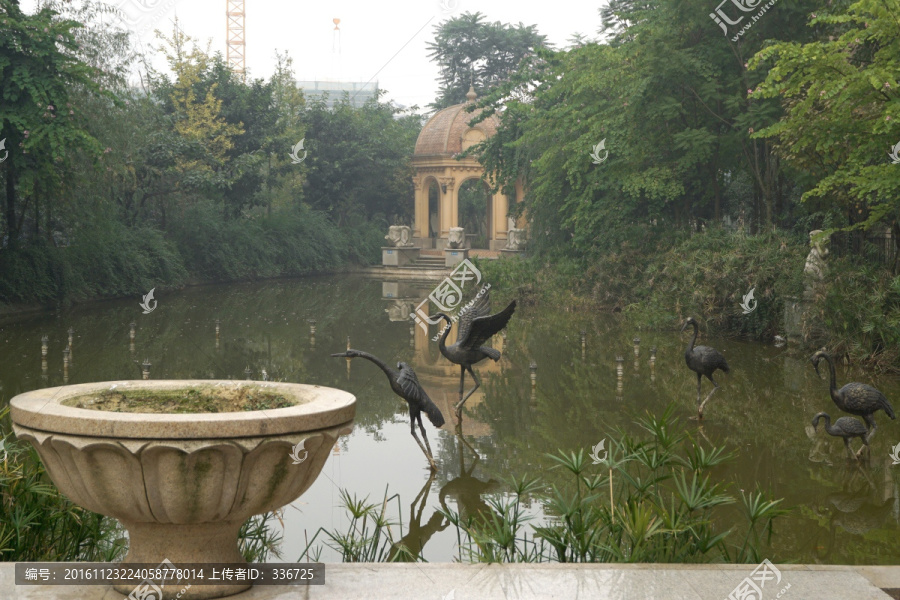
(106, 259)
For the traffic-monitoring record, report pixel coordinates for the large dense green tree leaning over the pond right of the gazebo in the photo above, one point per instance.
(668, 96)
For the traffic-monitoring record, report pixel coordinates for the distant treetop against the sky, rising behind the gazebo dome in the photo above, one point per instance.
(473, 52)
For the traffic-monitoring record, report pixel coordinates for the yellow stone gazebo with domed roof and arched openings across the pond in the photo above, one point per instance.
(439, 176)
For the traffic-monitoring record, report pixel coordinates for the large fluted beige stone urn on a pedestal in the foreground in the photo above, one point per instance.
(183, 484)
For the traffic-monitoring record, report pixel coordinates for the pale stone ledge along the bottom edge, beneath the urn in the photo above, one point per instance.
(427, 581)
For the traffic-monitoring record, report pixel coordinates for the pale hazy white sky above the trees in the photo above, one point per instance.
(381, 41)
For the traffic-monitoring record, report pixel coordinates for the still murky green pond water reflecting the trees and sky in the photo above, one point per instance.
(841, 514)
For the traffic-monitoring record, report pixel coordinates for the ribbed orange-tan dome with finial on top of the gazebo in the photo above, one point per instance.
(448, 131)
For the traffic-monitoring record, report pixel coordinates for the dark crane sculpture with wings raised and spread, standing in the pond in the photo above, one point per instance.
(476, 327)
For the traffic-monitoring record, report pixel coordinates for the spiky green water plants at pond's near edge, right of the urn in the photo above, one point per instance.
(662, 507)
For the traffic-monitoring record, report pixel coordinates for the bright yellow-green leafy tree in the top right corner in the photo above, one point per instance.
(842, 106)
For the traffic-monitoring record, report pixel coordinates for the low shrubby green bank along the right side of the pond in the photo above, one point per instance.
(737, 285)
